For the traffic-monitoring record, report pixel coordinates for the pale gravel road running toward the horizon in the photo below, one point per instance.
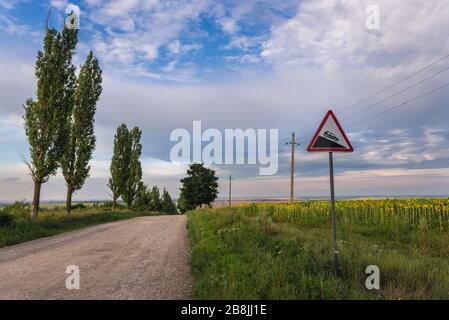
(141, 258)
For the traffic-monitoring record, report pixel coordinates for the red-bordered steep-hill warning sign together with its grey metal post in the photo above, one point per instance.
(331, 138)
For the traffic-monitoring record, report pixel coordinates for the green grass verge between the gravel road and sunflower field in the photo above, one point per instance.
(238, 256)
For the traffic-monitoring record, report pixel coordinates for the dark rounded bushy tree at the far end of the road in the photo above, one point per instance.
(200, 187)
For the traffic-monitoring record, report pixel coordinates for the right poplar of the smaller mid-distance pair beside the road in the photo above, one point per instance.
(135, 168)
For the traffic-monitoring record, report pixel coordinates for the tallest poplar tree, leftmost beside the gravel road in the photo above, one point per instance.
(46, 117)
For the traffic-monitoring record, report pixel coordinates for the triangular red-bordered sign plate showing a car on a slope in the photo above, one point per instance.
(330, 137)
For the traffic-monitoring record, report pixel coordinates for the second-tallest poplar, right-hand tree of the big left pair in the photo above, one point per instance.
(81, 140)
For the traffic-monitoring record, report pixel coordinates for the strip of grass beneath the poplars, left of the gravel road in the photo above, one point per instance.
(54, 221)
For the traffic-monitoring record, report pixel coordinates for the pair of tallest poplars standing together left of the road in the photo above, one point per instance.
(59, 123)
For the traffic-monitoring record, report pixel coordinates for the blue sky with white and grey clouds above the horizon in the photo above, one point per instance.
(263, 64)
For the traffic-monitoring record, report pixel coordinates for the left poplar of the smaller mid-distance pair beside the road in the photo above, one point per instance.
(120, 162)
